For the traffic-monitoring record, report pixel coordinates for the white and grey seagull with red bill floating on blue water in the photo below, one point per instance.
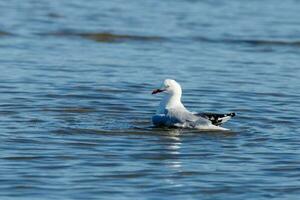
(172, 113)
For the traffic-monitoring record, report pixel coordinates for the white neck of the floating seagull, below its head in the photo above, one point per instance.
(170, 101)
